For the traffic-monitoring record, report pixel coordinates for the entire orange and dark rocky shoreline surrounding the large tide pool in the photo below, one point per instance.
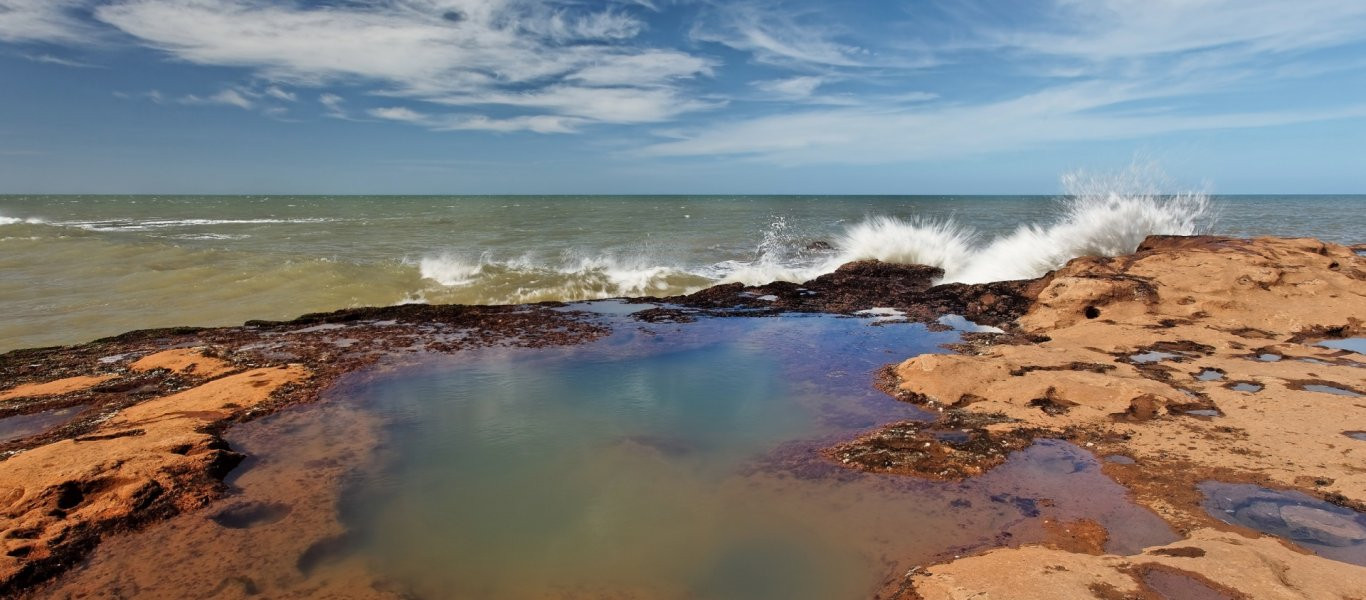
(1147, 359)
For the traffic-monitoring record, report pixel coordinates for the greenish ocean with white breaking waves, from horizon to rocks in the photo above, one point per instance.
(79, 267)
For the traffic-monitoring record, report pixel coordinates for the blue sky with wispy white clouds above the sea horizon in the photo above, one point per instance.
(677, 96)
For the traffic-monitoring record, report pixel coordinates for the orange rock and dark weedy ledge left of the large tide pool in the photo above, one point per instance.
(140, 459)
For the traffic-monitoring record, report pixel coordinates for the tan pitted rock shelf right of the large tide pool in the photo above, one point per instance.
(1196, 359)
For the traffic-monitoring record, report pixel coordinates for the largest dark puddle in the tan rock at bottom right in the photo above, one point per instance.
(1326, 530)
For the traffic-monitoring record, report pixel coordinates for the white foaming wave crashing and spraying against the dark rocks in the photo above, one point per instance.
(1099, 215)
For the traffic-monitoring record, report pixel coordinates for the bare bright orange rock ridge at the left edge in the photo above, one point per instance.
(57, 500)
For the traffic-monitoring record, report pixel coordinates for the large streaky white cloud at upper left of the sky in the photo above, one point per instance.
(546, 58)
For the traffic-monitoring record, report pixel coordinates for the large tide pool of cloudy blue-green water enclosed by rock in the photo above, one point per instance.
(648, 465)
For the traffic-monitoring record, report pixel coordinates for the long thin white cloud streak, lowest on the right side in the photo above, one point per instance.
(863, 136)
